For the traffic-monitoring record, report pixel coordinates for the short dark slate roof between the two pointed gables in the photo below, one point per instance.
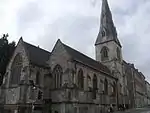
(36, 55)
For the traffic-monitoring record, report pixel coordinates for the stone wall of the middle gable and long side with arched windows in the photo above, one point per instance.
(70, 95)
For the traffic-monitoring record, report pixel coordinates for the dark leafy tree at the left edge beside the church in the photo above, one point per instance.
(6, 51)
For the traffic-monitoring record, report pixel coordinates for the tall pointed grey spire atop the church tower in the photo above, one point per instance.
(107, 29)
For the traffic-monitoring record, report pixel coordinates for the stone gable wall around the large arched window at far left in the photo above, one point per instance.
(13, 94)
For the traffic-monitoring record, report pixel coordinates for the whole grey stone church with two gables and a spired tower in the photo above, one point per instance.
(65, 80)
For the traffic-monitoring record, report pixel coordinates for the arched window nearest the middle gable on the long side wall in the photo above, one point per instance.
(80, 79)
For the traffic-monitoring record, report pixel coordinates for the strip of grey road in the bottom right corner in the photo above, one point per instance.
(138, 110)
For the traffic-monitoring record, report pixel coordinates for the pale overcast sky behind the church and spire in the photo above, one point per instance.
(76, 23)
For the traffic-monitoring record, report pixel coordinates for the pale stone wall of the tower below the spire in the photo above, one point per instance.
(115, 65)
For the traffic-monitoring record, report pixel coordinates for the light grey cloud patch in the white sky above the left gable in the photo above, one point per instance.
(29, 14)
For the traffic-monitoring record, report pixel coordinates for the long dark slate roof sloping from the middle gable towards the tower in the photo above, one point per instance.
(76, 55)
